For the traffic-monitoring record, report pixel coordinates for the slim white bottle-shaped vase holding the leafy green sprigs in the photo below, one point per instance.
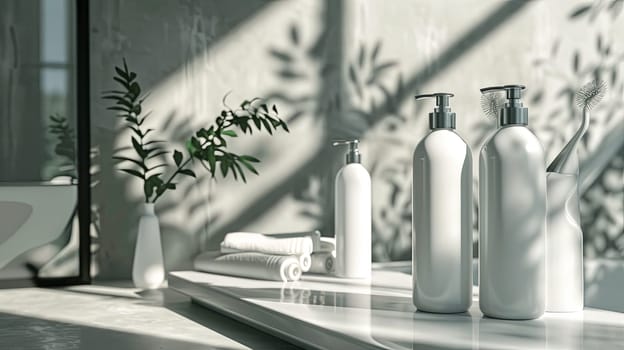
(148, 270)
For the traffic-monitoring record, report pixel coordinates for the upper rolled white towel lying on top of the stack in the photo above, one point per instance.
(257, 242)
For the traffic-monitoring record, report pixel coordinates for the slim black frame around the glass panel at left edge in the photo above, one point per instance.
(83, 112)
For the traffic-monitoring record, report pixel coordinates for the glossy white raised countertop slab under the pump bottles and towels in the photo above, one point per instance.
(325, 312)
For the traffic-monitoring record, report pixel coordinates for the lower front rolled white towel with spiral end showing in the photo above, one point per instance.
(253, 265)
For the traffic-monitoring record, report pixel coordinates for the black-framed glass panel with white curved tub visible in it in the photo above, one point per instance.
(44, 149)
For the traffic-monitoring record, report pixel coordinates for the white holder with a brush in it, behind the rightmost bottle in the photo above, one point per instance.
(564, 245)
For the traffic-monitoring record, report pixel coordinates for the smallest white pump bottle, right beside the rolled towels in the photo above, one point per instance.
(353, 217)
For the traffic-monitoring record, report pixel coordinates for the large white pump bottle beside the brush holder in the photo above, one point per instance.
(512, 200)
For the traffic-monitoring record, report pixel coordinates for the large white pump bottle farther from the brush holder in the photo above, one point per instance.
(442, 216)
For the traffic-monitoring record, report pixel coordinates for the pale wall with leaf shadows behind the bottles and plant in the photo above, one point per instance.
(339, 69)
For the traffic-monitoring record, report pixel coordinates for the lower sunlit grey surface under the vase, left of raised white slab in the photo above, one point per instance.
(118, 317)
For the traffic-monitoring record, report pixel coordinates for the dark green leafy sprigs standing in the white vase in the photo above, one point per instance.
(209, 146)
